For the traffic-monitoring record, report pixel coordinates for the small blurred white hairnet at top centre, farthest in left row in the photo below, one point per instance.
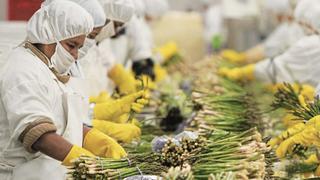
(156, 8)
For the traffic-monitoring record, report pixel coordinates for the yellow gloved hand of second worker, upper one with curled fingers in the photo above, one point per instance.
(115, 108)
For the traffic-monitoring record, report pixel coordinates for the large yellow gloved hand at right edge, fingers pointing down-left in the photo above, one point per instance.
(307, 137)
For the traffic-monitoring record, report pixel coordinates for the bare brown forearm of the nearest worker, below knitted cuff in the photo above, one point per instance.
(53, 145)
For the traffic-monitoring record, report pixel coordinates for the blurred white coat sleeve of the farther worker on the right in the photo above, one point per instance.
(285, 35)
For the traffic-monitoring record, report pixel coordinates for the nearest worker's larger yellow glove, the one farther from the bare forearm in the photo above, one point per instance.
(102, 145)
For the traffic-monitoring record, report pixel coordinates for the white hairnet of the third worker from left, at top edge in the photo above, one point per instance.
(118, 10)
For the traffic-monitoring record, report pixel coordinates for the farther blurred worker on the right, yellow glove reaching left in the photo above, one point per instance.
(287, 33)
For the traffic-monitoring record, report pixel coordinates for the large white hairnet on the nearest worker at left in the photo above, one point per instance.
(58, 21)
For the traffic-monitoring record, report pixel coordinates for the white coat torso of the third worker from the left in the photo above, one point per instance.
(95, 65)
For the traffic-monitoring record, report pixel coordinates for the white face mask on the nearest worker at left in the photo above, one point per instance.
(62, 60)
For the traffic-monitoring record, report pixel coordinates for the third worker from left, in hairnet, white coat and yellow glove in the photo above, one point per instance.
(100, 65)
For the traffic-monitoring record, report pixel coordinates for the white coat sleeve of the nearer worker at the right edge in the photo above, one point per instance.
(300, 63)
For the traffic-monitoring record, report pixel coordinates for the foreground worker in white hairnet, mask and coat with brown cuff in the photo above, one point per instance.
(41, 118)
